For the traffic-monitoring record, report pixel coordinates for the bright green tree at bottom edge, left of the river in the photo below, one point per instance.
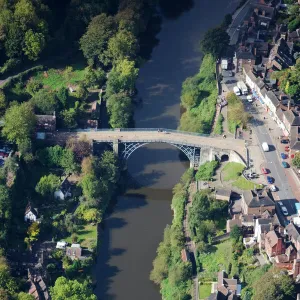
(65, 289)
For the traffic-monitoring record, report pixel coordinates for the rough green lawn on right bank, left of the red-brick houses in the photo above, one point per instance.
(216, 260)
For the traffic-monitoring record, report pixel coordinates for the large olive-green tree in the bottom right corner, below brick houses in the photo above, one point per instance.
(274, 285)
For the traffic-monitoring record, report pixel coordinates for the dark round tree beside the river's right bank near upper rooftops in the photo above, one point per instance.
(214, 41)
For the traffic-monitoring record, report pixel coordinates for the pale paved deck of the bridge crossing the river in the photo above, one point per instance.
(155, 136)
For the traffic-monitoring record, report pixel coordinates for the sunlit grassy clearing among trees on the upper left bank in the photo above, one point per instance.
(56, 78)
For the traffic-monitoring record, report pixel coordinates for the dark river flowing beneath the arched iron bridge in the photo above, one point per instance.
(135, 228)
